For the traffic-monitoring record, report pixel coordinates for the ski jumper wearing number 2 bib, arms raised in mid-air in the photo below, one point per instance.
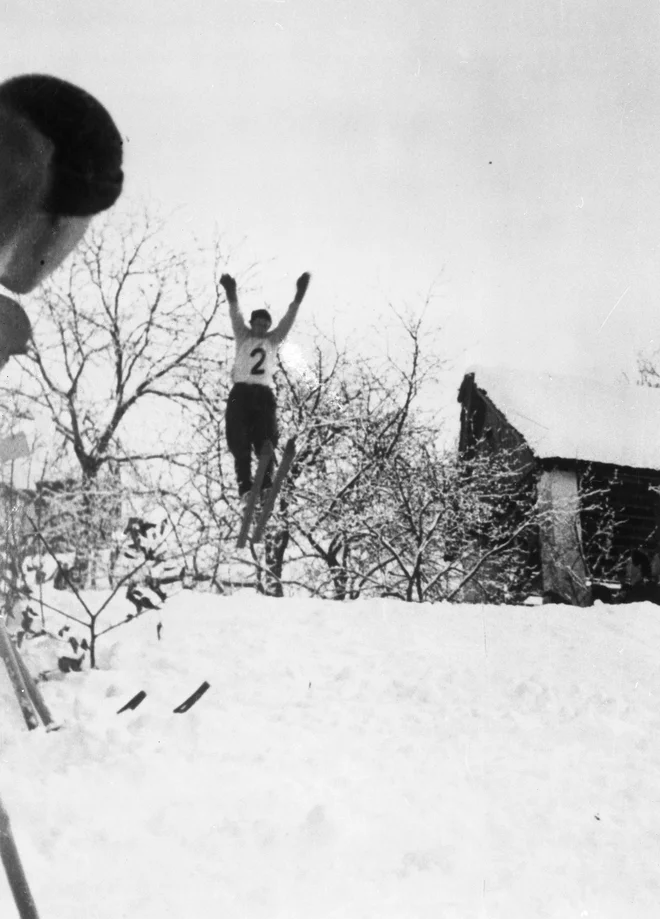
(251, 417)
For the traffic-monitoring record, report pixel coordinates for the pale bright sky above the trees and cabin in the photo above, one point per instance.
(502, 155)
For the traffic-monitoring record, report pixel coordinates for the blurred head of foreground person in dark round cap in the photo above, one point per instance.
(60, 164)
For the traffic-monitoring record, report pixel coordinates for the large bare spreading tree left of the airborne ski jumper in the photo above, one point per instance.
(119, 333)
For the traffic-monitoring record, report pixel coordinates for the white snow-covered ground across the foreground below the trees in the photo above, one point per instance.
(363, 760)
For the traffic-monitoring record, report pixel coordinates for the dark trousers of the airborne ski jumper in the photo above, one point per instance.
(251, 419)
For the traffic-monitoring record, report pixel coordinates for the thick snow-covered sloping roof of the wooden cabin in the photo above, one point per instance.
(572, 418)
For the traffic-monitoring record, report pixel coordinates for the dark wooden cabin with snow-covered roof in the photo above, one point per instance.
(574, 434)
